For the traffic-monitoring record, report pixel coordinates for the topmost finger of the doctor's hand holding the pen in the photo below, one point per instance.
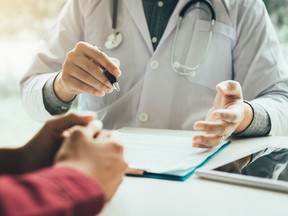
(101, 58)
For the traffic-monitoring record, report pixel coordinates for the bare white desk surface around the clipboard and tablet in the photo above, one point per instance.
(152, 197)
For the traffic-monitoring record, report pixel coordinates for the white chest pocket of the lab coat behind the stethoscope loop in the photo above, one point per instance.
(214, 58)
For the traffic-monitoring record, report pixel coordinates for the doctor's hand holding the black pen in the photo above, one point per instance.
(82, 72)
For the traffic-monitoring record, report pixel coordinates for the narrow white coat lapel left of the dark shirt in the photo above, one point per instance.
(135, 8)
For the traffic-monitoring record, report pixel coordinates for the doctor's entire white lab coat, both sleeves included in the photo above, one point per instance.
(244, 47)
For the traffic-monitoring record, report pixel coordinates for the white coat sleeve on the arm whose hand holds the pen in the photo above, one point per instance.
(62, 38)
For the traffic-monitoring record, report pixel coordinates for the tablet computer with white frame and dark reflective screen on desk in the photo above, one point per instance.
(267, 169)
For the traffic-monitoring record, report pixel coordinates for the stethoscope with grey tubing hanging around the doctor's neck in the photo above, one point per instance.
(116, 38)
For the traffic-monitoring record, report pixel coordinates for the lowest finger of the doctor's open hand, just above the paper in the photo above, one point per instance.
(206, 140)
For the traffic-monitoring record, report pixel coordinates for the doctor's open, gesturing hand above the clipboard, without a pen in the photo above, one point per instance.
(228, 115)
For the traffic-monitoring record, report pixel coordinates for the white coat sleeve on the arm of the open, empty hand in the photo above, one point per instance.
(259, 64)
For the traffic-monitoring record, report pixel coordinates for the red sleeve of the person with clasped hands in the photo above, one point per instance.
(52, 191)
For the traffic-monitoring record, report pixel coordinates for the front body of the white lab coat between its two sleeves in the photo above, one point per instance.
(152, 95)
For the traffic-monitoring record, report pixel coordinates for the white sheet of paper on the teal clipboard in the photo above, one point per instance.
(162, 153)
